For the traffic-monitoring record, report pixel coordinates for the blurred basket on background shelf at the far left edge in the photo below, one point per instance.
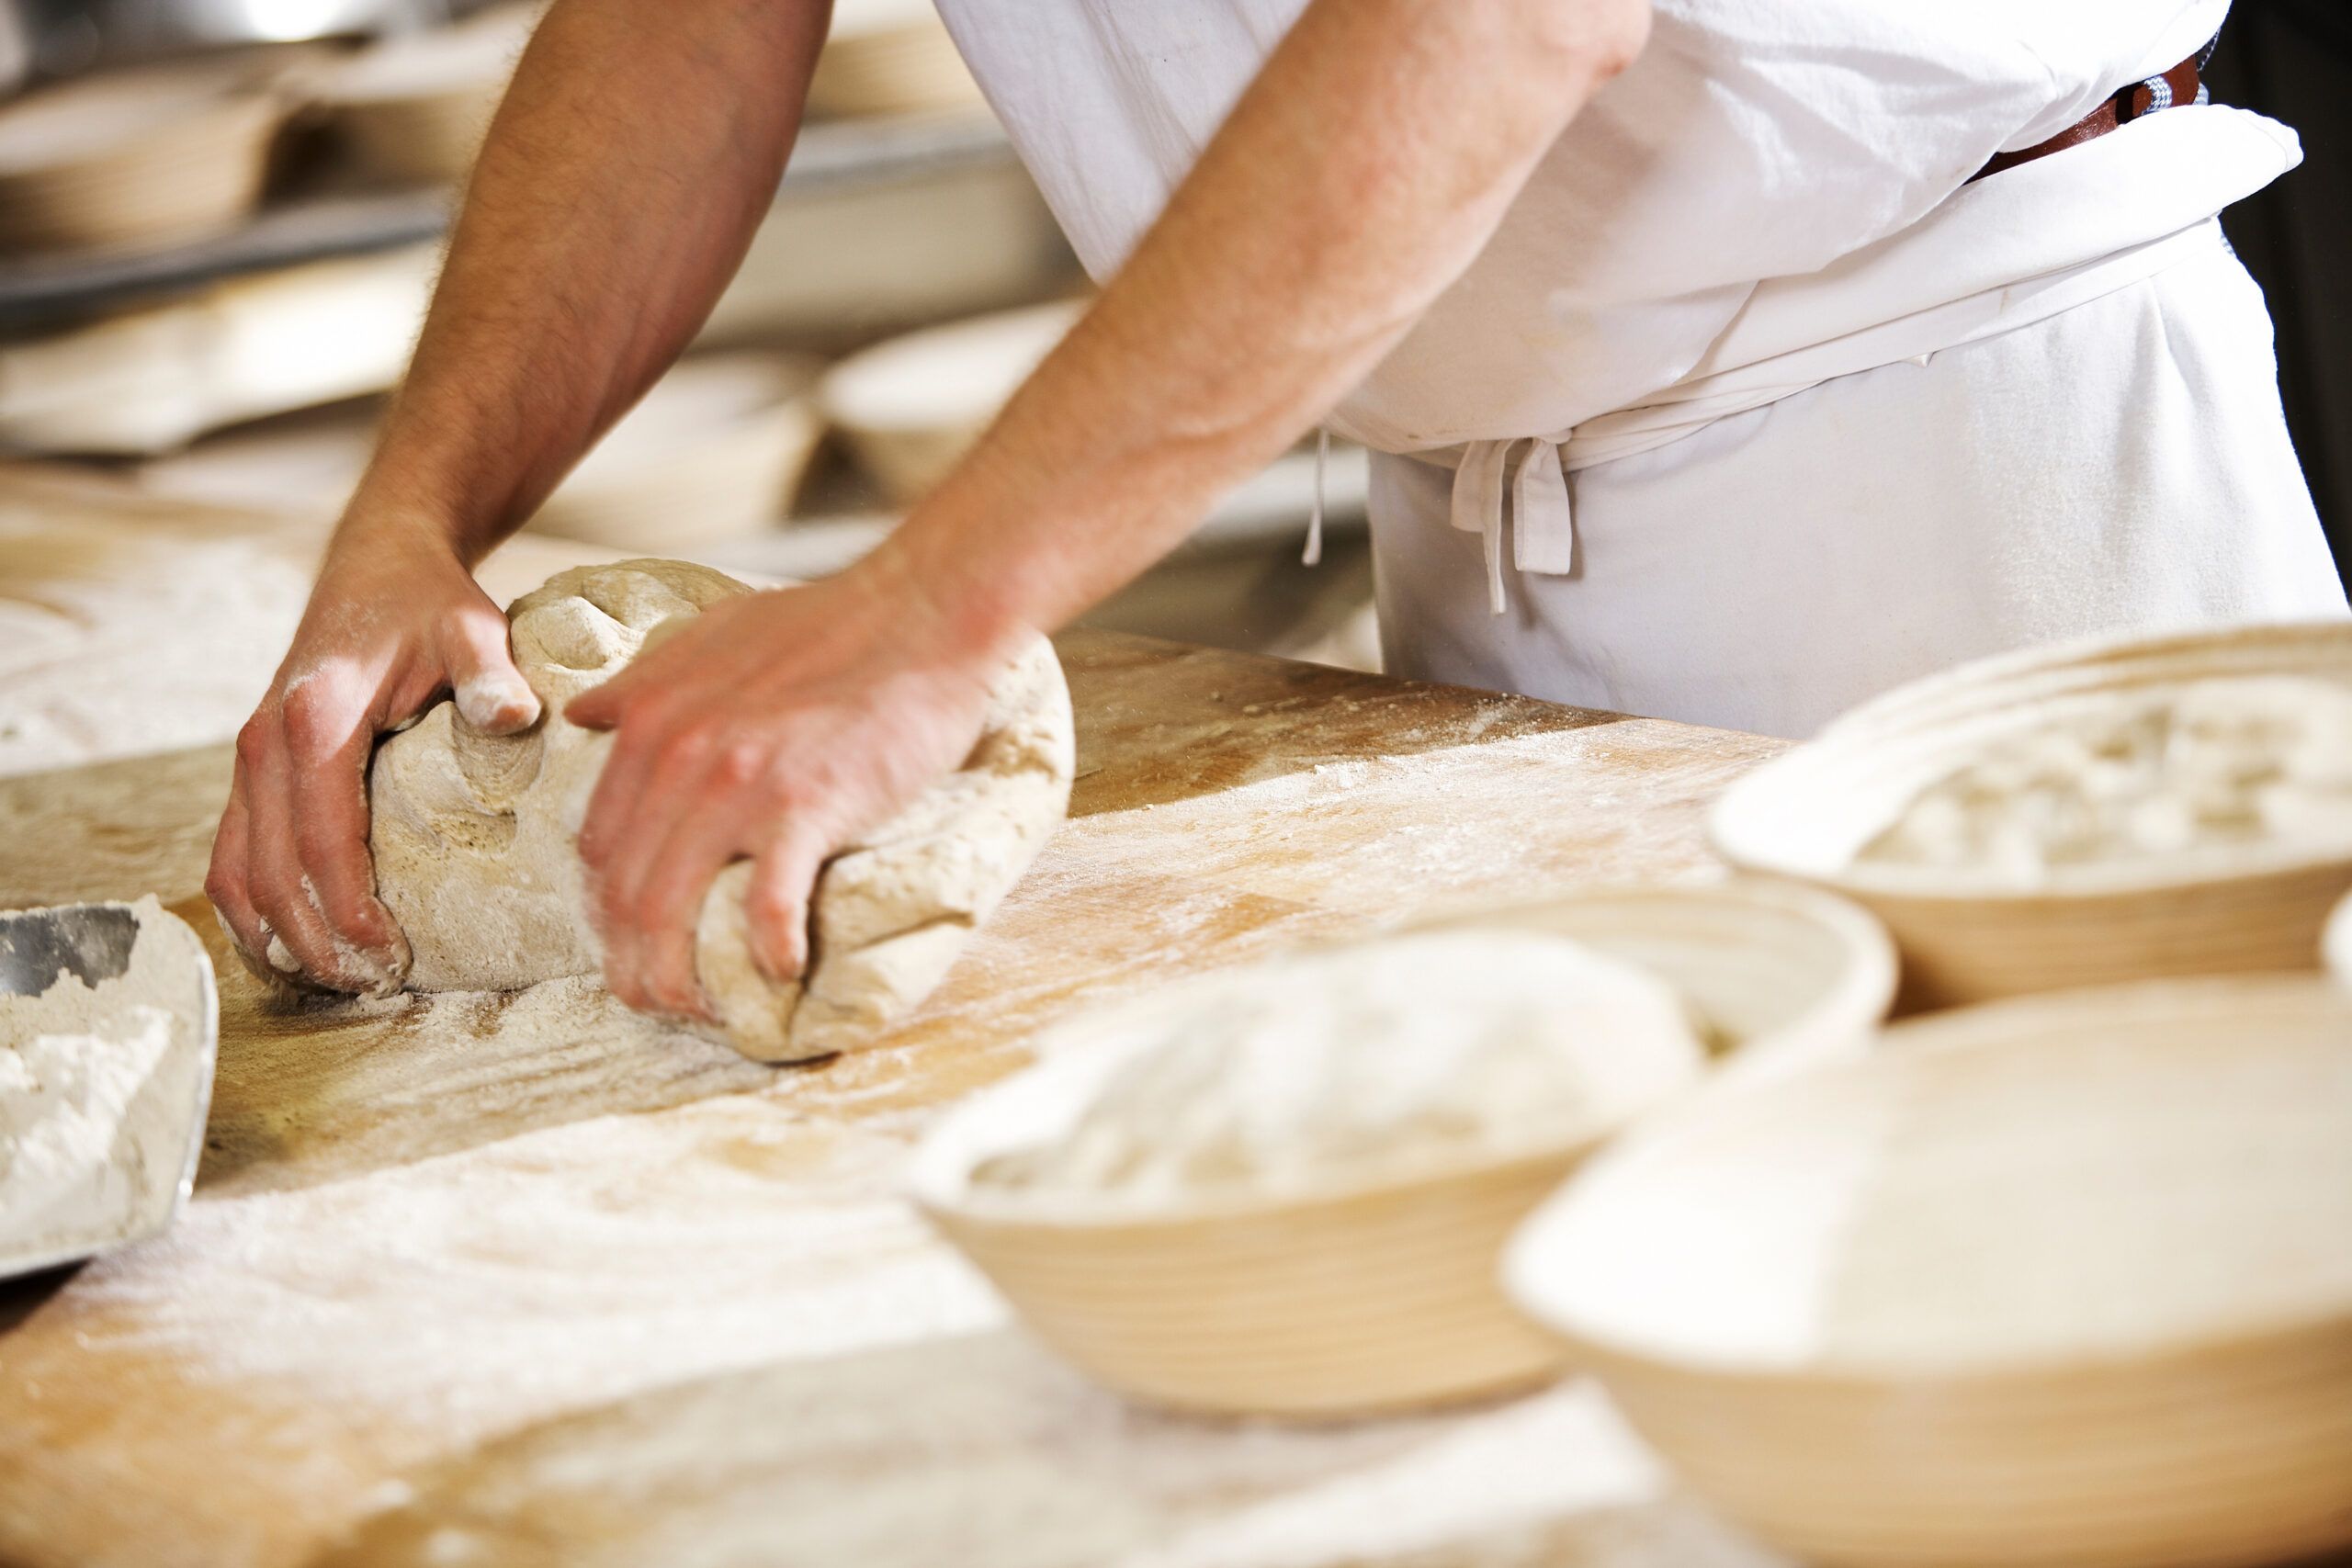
(138, 156)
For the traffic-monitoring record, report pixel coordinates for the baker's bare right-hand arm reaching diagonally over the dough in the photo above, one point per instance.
(1356, 180)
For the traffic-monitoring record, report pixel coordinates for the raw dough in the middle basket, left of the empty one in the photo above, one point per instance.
(1363, 1064)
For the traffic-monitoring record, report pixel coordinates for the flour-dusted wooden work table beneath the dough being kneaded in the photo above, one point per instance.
(592, 1296)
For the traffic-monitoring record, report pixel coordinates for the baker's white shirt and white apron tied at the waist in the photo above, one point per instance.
(1753, 408)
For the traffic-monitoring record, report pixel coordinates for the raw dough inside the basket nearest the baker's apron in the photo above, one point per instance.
(2132, 777)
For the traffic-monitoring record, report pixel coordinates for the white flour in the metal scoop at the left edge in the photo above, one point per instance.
(81, 1151)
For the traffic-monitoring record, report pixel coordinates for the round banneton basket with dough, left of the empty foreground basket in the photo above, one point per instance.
(1370, 1296)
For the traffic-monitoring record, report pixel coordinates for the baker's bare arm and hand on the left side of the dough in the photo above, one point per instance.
(617, 192)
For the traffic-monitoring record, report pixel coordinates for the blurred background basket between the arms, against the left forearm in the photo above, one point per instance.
(714, 453)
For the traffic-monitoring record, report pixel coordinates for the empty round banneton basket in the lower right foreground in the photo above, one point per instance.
(2054, 1282)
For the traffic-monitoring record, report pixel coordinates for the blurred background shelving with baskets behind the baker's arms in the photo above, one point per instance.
(241, 375)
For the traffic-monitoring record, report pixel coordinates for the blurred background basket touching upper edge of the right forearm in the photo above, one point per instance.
(914, 406)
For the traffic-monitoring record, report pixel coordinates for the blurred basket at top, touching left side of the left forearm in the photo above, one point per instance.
(415, 107)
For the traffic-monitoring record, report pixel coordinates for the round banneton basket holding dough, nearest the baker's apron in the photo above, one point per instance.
(1970, 939)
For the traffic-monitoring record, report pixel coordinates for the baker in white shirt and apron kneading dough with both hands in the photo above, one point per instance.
(1723, 361)
